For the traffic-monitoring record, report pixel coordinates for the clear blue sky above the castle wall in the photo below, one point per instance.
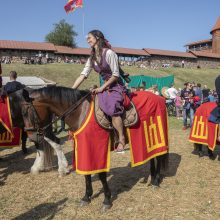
(137, 24)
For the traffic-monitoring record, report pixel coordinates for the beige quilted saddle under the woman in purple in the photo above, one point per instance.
(129, 118)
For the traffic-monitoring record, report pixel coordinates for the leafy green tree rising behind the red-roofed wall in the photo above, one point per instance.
(62, 35)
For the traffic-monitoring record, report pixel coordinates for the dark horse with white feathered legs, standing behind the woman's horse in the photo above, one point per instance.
(20, 105)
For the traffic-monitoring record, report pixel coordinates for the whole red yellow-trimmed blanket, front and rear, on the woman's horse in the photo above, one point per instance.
(147, 139)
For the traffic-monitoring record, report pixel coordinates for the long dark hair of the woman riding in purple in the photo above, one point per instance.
(101, 43)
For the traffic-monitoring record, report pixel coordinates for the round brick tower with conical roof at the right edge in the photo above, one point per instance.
(215, 32)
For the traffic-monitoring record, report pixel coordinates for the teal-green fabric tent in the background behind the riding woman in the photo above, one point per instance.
(148, 81)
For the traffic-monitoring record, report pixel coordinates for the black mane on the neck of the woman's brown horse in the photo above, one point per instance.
(60, 93)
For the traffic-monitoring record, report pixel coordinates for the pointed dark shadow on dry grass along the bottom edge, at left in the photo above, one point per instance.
(45, 210)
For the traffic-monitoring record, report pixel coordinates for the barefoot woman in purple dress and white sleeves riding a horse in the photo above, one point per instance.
(110, 95)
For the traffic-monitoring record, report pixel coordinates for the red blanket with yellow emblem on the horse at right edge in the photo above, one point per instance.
(203, 131)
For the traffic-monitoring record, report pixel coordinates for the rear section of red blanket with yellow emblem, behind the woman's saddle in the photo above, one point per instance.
(149, 137)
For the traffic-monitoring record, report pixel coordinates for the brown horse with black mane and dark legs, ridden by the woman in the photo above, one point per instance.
(58, 100)
